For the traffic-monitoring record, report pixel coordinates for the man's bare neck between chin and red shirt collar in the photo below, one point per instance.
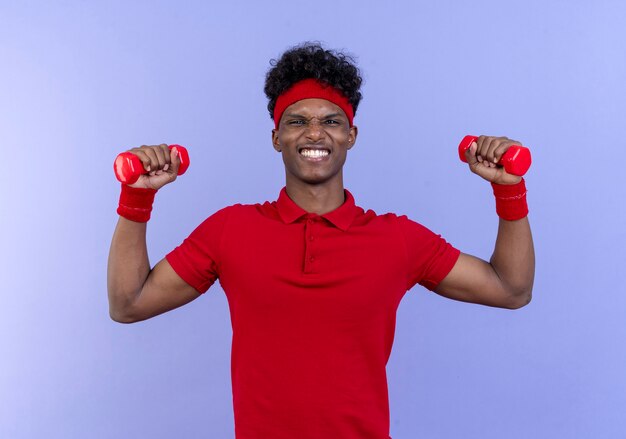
(319, 199)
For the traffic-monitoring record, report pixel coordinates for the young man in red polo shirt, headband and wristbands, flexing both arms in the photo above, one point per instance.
(313, 281)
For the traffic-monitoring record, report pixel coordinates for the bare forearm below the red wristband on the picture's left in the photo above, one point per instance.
(128, 266)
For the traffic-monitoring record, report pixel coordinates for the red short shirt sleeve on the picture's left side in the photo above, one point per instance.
(197, 259)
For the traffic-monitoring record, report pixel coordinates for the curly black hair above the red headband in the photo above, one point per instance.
(311, 60)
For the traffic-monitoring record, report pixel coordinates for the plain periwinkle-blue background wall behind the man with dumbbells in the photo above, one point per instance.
(82, 81)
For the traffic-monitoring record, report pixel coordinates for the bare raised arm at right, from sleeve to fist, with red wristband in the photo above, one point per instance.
(505, 281)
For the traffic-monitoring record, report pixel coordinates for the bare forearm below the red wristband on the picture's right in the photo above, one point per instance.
(513, 258)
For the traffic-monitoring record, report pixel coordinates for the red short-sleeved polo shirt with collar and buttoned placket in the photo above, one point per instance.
(313, 304)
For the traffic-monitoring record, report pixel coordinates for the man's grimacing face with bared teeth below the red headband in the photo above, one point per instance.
(314, 136)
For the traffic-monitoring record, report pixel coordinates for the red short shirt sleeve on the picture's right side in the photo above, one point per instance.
(430, 257)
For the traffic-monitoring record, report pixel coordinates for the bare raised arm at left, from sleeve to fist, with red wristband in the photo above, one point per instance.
(135, 291)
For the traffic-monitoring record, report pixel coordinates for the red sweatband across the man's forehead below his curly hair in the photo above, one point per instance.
(312, 88)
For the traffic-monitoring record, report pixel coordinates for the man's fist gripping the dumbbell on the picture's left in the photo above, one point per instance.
(160, 163)
